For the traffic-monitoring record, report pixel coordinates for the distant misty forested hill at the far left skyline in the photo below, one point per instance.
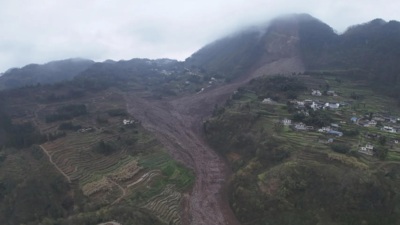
(51, 72)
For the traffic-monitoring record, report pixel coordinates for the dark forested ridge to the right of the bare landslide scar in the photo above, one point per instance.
(373, 46)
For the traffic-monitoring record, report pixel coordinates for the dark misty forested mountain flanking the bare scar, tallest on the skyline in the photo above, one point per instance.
(371, 49)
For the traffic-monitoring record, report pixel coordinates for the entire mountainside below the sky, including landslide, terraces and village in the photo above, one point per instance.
(233, 135)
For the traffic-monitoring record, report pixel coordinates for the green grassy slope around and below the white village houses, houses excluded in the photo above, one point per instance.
(287, 177)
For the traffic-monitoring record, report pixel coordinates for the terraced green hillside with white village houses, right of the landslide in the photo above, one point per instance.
(289, 159)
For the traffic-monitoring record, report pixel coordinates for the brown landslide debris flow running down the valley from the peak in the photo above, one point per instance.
(177, 122)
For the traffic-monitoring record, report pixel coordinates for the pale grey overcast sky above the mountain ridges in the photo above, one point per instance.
(38, 31)
